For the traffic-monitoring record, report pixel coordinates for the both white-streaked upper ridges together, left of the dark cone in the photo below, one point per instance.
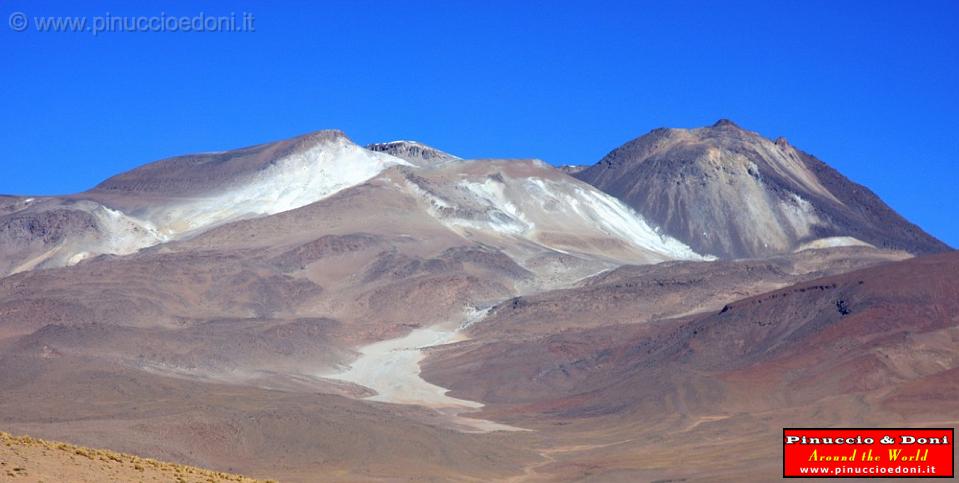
(183, 196)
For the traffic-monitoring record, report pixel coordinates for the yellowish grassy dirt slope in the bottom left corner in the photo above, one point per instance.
(27, 459)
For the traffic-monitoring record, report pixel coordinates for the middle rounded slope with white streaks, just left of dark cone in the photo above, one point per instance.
(503, 202)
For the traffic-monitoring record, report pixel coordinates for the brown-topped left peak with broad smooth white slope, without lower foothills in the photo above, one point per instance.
(188, 193)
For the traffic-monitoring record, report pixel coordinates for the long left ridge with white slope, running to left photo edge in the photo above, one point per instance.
(179, 197)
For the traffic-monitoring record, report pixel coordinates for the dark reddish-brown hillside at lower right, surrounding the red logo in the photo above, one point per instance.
(704, 396)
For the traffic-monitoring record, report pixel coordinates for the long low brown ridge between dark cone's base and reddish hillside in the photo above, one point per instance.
(642, 293)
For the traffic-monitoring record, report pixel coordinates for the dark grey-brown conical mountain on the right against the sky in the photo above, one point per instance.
(732, 193)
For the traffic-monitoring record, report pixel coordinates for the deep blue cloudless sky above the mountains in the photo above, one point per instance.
(869, 87)
